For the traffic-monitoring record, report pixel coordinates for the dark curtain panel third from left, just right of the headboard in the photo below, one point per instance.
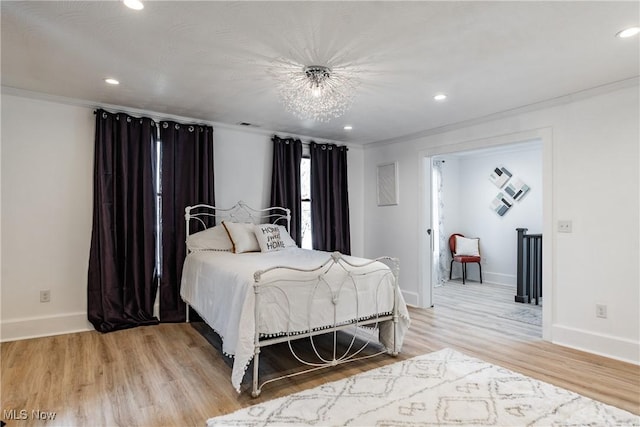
(285, 181)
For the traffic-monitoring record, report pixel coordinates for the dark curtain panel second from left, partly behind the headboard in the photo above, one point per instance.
(186, 179)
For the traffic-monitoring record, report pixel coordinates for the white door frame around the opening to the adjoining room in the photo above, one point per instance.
(425, 288)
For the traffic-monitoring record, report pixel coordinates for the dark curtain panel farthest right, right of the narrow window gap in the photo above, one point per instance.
(329, 198)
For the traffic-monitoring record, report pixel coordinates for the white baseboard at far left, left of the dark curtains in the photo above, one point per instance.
(36, 327)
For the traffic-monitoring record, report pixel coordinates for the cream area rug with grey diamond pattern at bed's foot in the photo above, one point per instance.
(438, 389)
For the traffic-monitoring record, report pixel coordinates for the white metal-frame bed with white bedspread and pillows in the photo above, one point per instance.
(254, 287)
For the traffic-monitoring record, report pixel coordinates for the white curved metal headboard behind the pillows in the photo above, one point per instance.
(240, 212)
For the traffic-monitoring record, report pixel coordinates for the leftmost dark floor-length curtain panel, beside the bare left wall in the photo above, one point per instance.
(121, 276)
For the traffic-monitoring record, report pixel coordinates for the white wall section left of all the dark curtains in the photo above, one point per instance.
(47, 180)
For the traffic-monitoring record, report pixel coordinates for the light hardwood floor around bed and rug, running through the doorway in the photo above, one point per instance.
(170, 375)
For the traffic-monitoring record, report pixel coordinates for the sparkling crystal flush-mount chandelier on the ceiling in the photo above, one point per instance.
(315, 92)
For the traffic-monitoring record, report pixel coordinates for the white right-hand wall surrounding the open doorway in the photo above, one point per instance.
(590, 164)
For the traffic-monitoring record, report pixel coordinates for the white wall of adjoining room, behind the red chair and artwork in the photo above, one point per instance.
(471, 192)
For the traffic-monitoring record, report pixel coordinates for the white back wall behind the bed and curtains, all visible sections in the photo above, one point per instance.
(46, 202)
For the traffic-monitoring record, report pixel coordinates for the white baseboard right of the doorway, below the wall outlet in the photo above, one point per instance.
(610, 346)
